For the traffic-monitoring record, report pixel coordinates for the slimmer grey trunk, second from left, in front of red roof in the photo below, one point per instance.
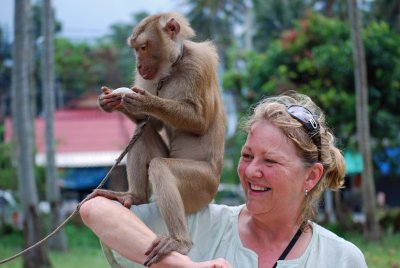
(58, 241)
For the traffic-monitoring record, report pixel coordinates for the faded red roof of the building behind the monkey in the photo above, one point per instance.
(83, 130)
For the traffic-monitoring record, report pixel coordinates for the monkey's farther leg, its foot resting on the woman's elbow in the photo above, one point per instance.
(149, 145)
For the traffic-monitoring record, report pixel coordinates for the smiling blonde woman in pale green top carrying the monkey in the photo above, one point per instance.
(288, 160)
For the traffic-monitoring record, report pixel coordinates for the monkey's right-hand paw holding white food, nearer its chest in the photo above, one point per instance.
(138, 101)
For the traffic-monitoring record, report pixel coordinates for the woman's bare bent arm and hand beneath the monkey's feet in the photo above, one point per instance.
(120, 229)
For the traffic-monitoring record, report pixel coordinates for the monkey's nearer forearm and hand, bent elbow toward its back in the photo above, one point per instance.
(189, 115)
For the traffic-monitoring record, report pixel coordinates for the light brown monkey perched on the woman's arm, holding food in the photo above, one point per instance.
(176, 87)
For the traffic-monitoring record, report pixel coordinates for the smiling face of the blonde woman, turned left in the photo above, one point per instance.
(272, 174)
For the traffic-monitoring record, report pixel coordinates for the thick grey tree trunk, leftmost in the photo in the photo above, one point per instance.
(23, 130)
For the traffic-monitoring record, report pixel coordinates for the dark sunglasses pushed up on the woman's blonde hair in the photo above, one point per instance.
(310, 124)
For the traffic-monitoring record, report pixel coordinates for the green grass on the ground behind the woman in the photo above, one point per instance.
(85, 251)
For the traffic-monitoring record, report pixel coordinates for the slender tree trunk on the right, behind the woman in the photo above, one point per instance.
(371, 227)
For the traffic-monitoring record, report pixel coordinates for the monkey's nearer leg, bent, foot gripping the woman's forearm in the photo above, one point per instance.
(180, 186)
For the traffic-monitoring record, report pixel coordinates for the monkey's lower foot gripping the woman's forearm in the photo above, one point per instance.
(162, 246)
